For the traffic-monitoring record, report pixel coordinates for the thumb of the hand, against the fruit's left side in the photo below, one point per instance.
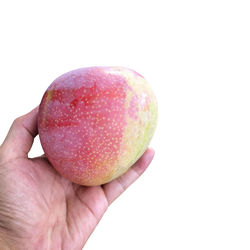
(21, 135)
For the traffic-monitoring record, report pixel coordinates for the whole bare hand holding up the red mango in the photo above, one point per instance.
(39, 209)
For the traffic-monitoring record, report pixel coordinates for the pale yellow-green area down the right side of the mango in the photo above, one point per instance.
(138, 132)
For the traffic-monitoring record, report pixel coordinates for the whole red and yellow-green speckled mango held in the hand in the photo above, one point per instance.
(94, 123)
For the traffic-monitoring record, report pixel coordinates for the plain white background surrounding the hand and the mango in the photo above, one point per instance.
(196, 56)
